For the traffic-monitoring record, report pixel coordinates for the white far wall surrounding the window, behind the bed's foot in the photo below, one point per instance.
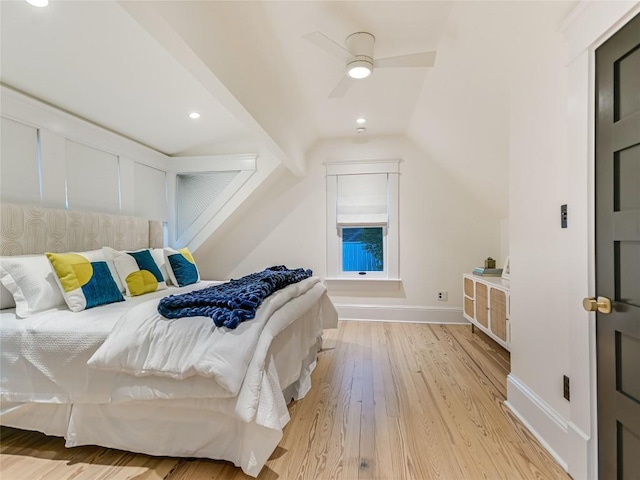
(444, 230)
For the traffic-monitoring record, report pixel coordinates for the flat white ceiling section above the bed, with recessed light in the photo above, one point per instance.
(92, 59)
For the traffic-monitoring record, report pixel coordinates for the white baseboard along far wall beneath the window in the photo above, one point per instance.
(401, 313)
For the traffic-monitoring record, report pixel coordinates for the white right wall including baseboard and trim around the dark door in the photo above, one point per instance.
(551, 163)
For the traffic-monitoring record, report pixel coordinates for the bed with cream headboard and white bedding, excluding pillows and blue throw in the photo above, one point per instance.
(189, 390)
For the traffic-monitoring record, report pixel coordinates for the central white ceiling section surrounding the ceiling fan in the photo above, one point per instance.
(388, 96)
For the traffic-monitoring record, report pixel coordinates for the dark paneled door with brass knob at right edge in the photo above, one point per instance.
(618, 252)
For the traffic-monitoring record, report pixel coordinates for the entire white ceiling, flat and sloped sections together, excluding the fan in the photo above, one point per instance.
(139, 68)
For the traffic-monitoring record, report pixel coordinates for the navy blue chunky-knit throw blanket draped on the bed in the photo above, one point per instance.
(233, 302)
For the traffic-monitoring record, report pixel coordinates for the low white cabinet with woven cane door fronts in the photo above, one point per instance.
(486, 306)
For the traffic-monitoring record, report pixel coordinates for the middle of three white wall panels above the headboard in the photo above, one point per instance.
(92, 179)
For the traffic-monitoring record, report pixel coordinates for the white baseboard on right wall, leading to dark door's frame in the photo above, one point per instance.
(543, 422)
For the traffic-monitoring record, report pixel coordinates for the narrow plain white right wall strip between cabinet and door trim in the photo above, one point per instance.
(538, 246)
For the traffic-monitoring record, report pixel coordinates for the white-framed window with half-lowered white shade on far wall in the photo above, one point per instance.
(362, 213)
